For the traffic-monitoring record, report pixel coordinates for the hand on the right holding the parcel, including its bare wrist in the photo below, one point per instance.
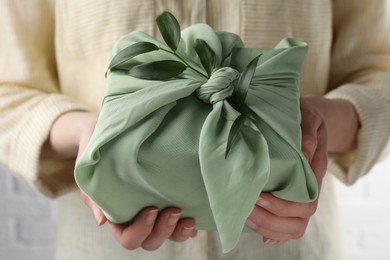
(327, 125)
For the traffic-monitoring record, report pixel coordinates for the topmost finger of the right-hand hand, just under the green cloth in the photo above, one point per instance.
(284, 208)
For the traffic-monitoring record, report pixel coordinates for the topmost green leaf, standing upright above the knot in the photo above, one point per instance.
(169, 29)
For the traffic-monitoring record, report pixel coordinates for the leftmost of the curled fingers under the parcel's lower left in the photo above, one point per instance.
(132, 236)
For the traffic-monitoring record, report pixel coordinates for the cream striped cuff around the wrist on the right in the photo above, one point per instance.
(373, 108)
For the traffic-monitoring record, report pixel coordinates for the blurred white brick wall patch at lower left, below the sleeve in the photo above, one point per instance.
(26, 222)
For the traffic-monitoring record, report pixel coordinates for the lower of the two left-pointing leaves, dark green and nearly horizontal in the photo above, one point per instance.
(158, 70)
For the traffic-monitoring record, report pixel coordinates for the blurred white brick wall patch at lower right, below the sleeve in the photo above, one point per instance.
(365, 213)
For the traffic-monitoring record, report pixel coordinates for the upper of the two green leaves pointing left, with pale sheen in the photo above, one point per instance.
(130, 52)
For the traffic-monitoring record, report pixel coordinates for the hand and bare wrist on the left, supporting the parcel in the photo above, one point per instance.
(68, 138)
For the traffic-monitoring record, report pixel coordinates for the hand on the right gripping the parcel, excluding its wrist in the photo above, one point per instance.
(279, 220)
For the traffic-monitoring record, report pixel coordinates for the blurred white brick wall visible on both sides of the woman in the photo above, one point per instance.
(27, 219)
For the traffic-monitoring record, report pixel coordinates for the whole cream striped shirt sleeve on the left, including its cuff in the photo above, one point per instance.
(30, 98)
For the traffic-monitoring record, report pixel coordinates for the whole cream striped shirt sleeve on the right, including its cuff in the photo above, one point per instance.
(360, 73)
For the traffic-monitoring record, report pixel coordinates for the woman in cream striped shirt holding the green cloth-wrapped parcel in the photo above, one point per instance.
(54, 55)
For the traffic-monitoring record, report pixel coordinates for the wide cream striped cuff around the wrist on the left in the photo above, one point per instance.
(49, 177)
